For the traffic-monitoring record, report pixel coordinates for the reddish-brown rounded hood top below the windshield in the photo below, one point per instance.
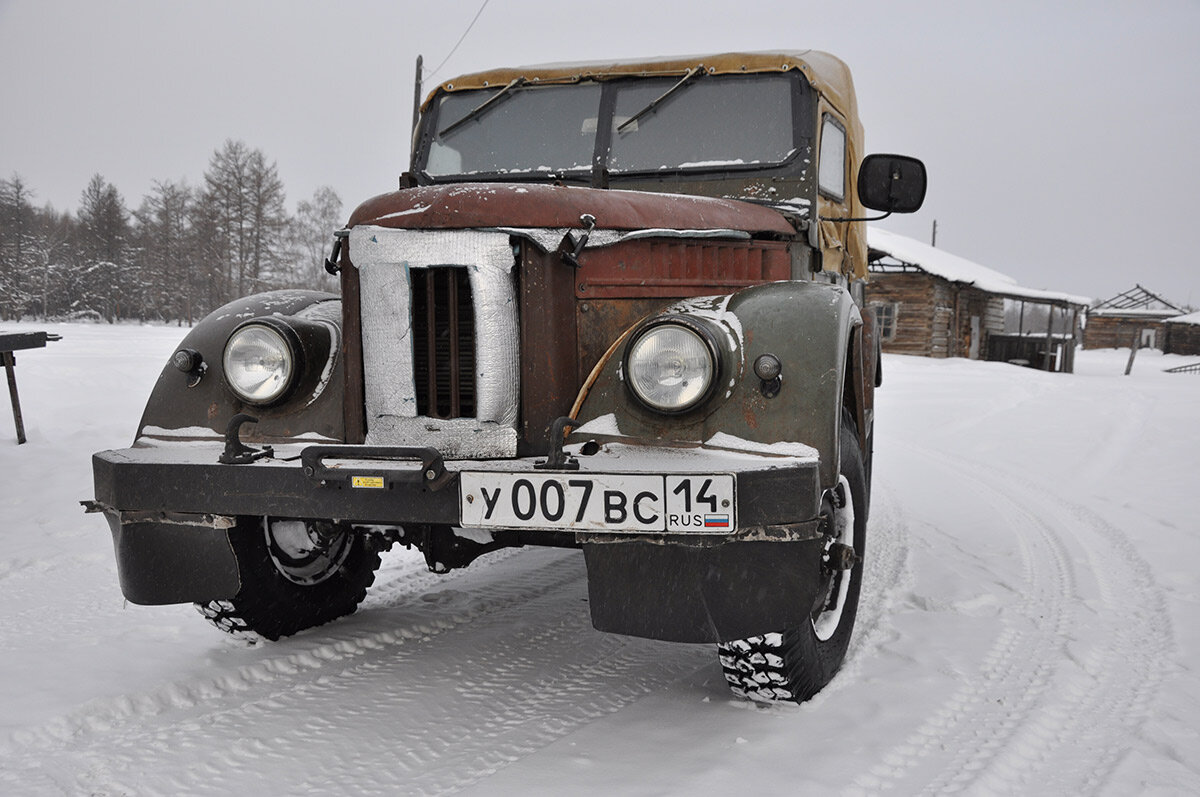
(490, 205)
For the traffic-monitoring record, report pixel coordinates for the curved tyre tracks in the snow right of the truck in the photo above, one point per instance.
(1070, 680)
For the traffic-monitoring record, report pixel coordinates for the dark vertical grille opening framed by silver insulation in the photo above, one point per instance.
(443, 343)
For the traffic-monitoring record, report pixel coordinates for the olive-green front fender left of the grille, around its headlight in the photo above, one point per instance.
(177, 411)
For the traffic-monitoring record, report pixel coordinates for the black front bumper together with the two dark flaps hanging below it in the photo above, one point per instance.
(171, 512)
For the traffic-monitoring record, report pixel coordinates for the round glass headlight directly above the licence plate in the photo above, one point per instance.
(670, 368)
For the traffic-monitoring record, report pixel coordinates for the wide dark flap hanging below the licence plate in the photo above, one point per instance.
(703, 595)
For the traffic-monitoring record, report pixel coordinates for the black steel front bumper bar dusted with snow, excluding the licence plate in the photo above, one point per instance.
(344, 482)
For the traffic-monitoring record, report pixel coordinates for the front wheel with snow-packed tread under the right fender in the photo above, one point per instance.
(796, 664)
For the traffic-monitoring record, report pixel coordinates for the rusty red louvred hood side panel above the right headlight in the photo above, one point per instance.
(679, 269)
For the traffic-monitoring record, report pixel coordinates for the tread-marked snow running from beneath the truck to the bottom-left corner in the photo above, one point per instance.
(465, 685)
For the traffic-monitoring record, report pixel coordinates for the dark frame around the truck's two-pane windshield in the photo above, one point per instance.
(601, 173)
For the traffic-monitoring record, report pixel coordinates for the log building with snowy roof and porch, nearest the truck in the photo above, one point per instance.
(932, 303)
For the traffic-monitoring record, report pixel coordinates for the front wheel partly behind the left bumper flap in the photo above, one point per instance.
(295, 576)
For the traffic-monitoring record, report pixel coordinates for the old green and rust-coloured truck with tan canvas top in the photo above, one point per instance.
(614, 308)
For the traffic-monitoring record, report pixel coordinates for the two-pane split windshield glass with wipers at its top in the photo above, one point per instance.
(710, 122)
